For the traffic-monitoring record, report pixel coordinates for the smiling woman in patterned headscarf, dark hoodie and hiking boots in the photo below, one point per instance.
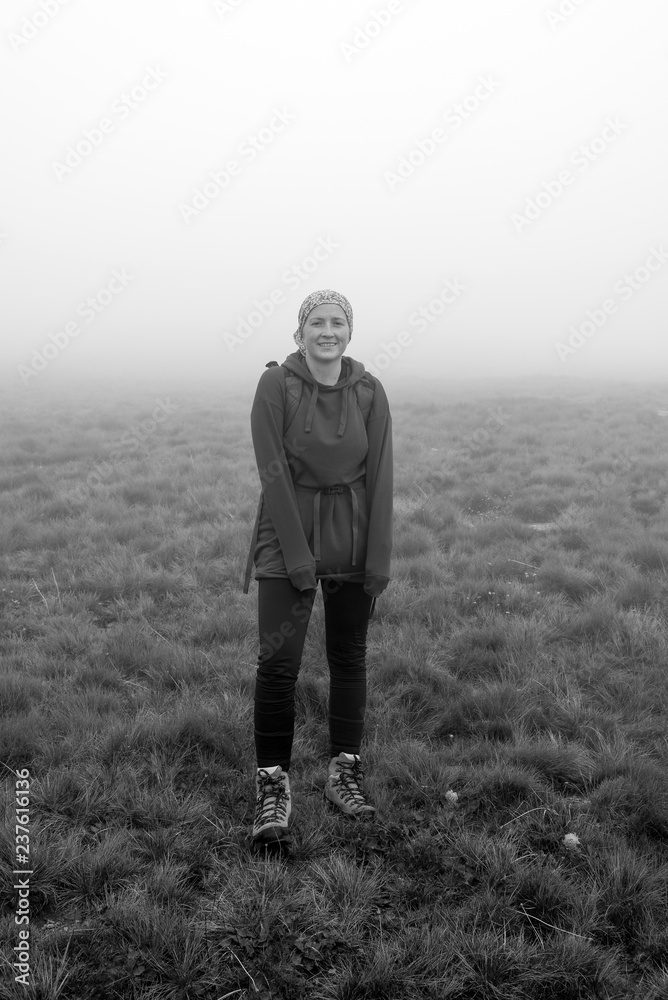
(322, 435)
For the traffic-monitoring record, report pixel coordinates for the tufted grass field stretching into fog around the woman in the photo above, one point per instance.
(516, 742)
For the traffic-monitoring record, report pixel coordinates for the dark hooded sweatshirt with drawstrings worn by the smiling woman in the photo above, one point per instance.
(326, 503)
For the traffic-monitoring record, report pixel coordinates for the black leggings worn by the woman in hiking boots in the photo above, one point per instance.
(284, 614)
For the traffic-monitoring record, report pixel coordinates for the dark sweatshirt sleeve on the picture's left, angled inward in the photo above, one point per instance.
(277, 487)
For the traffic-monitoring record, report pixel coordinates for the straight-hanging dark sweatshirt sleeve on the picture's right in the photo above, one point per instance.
(379, 477)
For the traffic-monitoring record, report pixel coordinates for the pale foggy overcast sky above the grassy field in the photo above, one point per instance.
(485, 181)
